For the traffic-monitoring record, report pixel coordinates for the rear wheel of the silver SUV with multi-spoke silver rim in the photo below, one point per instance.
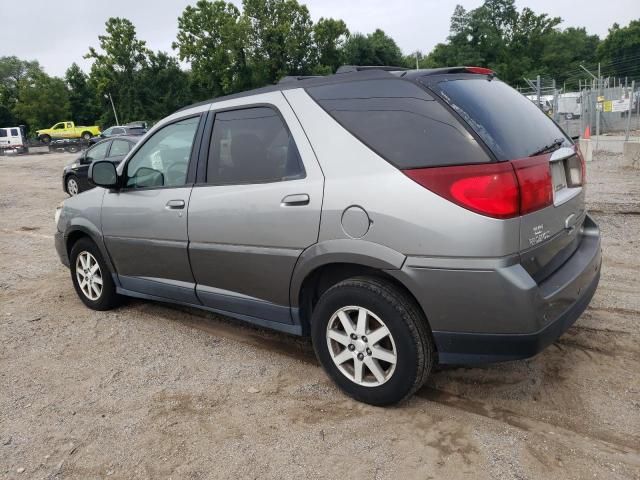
(409, 338)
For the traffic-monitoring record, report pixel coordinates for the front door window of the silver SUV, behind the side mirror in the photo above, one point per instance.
(163, 160)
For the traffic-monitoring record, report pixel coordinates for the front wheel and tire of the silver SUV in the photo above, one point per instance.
(86, 254)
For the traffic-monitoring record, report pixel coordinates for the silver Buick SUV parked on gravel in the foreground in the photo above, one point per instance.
(402, 219)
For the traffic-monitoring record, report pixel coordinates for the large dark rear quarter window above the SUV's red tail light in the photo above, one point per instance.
(401, 122)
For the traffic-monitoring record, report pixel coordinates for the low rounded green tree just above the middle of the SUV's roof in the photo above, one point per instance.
(373, 49)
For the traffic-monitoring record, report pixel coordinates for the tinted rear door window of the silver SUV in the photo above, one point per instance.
(252, 145)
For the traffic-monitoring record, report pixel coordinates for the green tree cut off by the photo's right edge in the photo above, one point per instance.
(620, 51)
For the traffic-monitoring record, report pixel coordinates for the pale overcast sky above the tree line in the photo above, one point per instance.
(61, 35)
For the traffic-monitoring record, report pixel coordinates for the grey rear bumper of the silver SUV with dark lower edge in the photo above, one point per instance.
(496, 314)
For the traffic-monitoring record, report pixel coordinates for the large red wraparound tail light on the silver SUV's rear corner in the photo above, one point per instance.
(498, 190)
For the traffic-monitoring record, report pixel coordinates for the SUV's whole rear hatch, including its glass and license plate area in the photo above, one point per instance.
(516, 131)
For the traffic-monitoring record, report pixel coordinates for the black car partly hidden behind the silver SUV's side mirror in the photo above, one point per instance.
(74, 175)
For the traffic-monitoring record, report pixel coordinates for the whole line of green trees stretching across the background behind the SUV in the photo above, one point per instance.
(228, 50)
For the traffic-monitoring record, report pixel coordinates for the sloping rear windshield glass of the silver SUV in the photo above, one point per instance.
(510, 124)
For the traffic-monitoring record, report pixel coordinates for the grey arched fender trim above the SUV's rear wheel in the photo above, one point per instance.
(343, 250)
